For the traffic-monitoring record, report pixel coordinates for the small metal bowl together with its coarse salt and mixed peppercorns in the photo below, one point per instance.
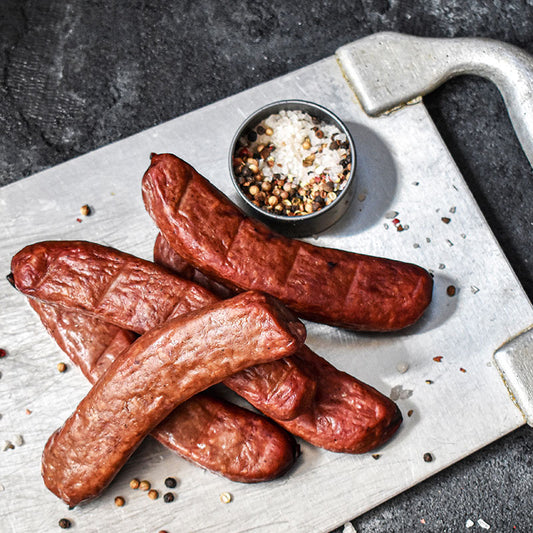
(293, 165)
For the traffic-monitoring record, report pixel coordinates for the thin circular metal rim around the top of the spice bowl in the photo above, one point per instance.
(250, 119)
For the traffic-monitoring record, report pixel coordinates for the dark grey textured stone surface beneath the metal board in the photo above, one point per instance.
(77, 75)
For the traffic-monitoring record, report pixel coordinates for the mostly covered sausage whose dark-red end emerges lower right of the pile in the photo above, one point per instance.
(346, 415)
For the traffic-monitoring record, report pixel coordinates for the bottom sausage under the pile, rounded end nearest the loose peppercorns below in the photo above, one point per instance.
(208, 431)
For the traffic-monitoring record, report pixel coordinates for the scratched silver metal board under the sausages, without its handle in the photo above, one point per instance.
(403, 166)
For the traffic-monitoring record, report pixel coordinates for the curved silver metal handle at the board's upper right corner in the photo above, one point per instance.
(387, 70)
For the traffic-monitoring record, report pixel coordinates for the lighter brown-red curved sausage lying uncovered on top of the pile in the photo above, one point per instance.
(161, 370)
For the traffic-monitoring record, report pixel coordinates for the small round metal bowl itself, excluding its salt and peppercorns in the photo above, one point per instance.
(298, 225)
